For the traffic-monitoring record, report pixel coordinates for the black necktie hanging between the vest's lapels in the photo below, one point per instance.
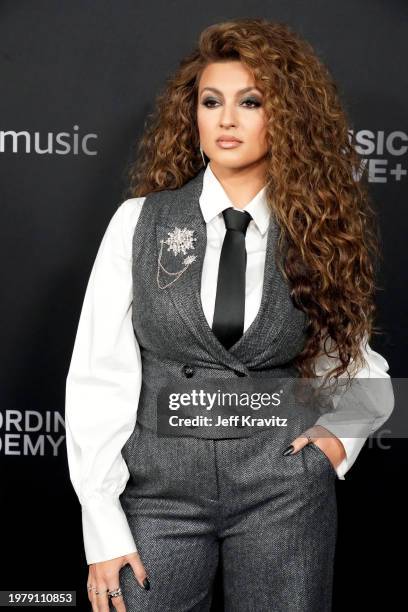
(229, 311)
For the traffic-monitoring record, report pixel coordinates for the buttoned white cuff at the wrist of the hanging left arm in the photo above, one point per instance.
(106, 530)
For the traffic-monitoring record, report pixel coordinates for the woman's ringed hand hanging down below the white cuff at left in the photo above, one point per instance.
(104, 577)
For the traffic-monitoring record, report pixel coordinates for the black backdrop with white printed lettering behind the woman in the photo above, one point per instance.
(91, 70)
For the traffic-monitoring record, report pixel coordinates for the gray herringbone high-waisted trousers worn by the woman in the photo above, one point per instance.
(269, 519)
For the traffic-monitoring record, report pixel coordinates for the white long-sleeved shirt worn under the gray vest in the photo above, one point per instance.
(105, 373)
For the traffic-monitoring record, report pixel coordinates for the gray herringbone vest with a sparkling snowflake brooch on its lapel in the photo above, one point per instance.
(175, 339)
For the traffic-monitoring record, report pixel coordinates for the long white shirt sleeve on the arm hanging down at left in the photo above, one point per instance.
(102, 391)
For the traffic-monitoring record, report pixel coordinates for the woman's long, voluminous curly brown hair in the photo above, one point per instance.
(329, 235)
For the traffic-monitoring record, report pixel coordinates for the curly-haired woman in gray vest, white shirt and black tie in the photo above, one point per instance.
(189, 283)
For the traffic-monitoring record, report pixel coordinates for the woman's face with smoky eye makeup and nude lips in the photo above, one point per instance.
(230, 104)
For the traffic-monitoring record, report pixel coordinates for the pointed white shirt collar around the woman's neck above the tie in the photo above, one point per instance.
(213, 200)
